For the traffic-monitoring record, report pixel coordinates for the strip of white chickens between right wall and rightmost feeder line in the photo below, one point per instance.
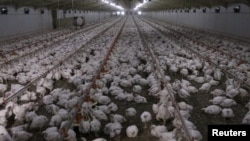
(230, 55)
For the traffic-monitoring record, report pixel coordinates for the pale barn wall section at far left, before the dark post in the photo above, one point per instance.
(17, 23)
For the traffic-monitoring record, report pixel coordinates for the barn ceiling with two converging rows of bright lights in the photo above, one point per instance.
(126, 4)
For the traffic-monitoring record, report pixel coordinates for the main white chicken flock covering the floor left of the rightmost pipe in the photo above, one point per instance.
(127, 99)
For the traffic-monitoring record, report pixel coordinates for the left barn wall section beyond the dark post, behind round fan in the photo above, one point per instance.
(65, 18)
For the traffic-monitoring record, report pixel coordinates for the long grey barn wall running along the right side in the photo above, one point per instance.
(226, 22)
